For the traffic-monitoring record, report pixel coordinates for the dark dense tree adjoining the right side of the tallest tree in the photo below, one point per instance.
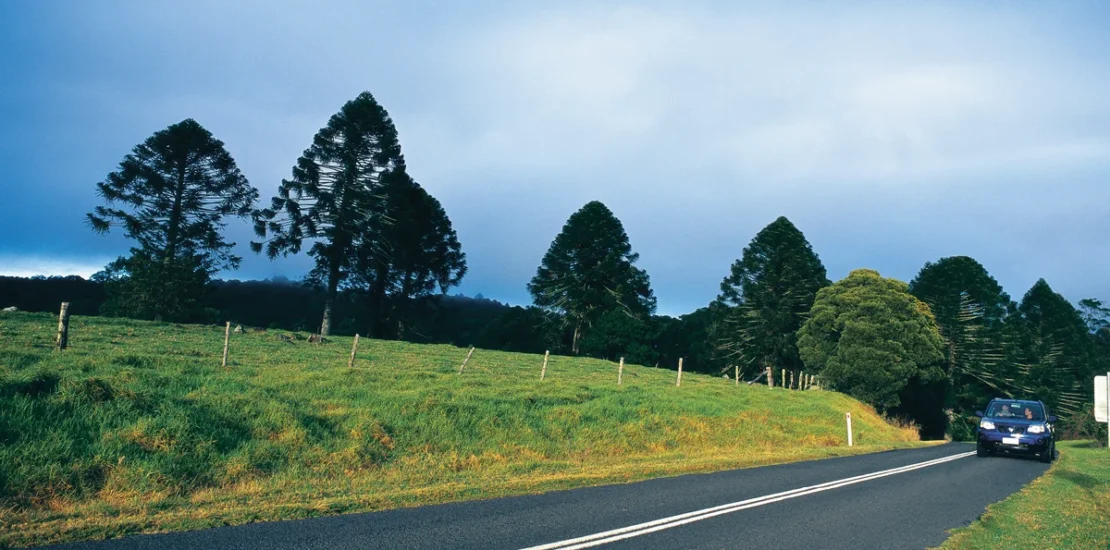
(415, 253)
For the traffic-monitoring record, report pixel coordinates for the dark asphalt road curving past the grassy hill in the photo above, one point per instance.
(887, 501)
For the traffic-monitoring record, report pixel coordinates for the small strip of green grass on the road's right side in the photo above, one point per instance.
(1069, 507)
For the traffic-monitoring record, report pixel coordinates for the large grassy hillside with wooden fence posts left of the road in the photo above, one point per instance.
(138, 428)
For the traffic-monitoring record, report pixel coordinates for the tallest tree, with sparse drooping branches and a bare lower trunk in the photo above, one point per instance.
(335, 195)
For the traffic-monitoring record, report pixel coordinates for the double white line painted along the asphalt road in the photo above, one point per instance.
(640, 529)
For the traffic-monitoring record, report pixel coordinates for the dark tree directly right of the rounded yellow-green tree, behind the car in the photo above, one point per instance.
(971, 309)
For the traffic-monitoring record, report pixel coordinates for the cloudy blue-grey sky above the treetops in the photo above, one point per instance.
(891, 134)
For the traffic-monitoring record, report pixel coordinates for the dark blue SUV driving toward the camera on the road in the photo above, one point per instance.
(1018, 427)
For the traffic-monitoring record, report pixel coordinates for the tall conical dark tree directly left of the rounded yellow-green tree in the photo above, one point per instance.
(768, 296)
